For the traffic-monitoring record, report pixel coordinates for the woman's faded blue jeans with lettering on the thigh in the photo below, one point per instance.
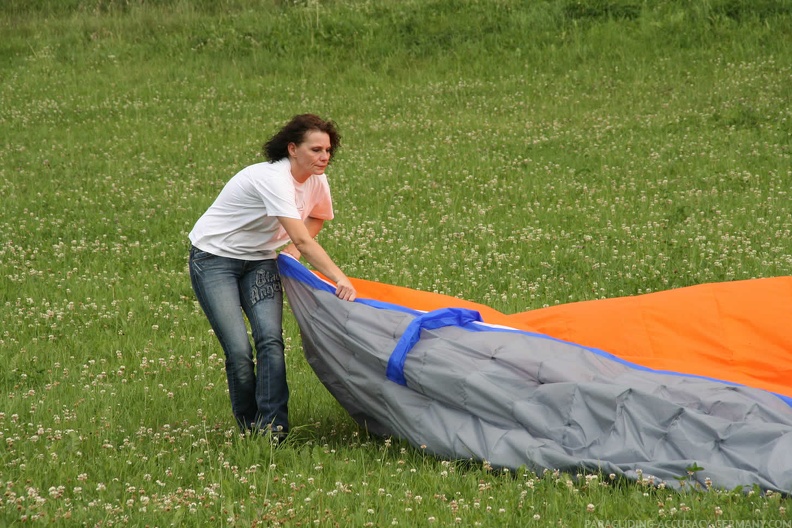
(226, 288)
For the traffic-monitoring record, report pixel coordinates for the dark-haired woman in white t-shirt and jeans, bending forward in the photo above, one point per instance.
(233, 267)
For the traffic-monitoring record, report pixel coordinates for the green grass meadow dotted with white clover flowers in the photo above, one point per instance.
(517, 154)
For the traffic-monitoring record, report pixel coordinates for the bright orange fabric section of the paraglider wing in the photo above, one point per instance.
(733, 331)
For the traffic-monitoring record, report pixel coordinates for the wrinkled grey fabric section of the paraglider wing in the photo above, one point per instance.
(515, 399)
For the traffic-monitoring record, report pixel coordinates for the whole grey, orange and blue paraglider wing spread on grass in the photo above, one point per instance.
(515, 395)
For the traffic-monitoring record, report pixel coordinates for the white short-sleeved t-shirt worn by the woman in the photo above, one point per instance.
(242, 223)
